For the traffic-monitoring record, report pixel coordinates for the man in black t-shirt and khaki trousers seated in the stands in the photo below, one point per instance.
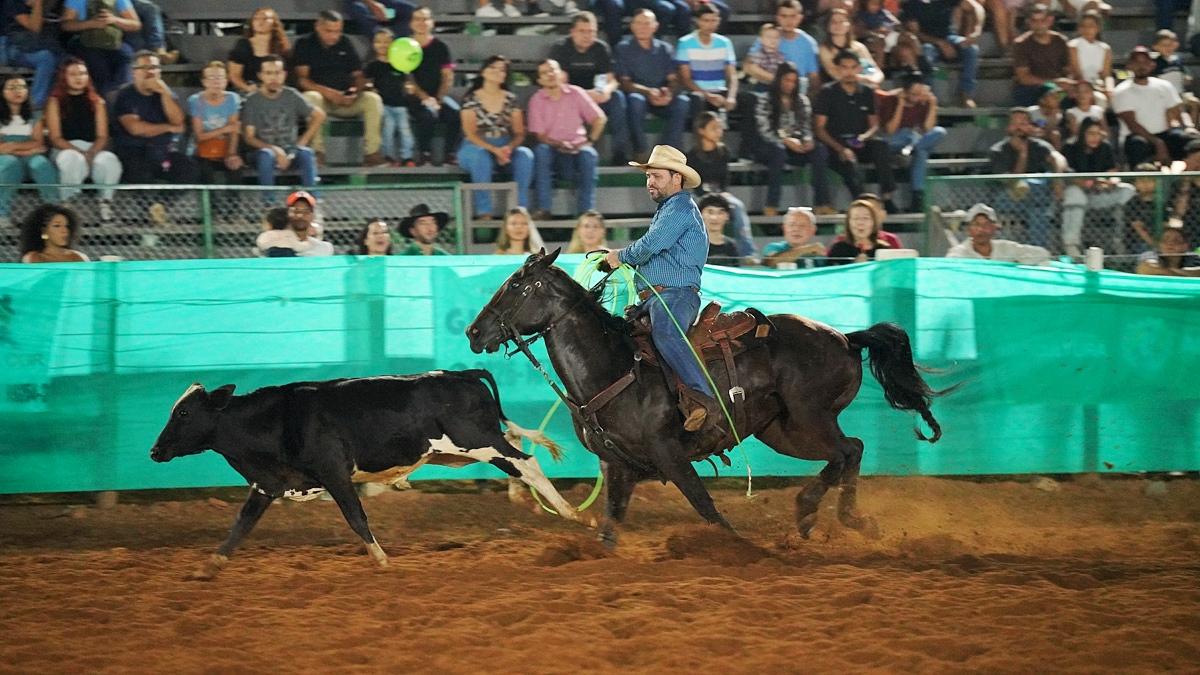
(329, 71)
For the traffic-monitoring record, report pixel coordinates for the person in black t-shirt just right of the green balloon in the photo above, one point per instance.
(433, 80)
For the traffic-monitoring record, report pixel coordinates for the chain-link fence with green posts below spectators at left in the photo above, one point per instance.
(184, 223)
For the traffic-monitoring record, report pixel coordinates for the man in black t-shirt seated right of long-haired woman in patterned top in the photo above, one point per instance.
(844, 120)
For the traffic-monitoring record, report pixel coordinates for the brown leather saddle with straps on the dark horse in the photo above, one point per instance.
(718, 338)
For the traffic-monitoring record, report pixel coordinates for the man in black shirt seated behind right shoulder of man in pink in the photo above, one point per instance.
(587, 63)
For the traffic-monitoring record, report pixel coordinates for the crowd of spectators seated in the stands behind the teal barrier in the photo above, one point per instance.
(836, 87)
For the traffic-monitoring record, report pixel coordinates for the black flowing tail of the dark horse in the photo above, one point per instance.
(891, 361)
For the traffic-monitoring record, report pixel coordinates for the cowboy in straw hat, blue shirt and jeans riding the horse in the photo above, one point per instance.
(670, 259)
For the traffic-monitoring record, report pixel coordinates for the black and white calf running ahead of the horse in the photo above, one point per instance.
(303, 439)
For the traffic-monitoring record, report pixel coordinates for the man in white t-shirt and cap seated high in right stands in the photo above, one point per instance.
(1151, 115)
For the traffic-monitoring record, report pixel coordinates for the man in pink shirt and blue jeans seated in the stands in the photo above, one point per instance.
(567, 124)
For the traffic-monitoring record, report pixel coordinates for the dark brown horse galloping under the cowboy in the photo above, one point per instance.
(797, 381)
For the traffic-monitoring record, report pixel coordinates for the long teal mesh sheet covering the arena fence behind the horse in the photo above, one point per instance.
(1065, 371)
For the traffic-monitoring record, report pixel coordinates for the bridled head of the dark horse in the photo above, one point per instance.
(525, 304)
